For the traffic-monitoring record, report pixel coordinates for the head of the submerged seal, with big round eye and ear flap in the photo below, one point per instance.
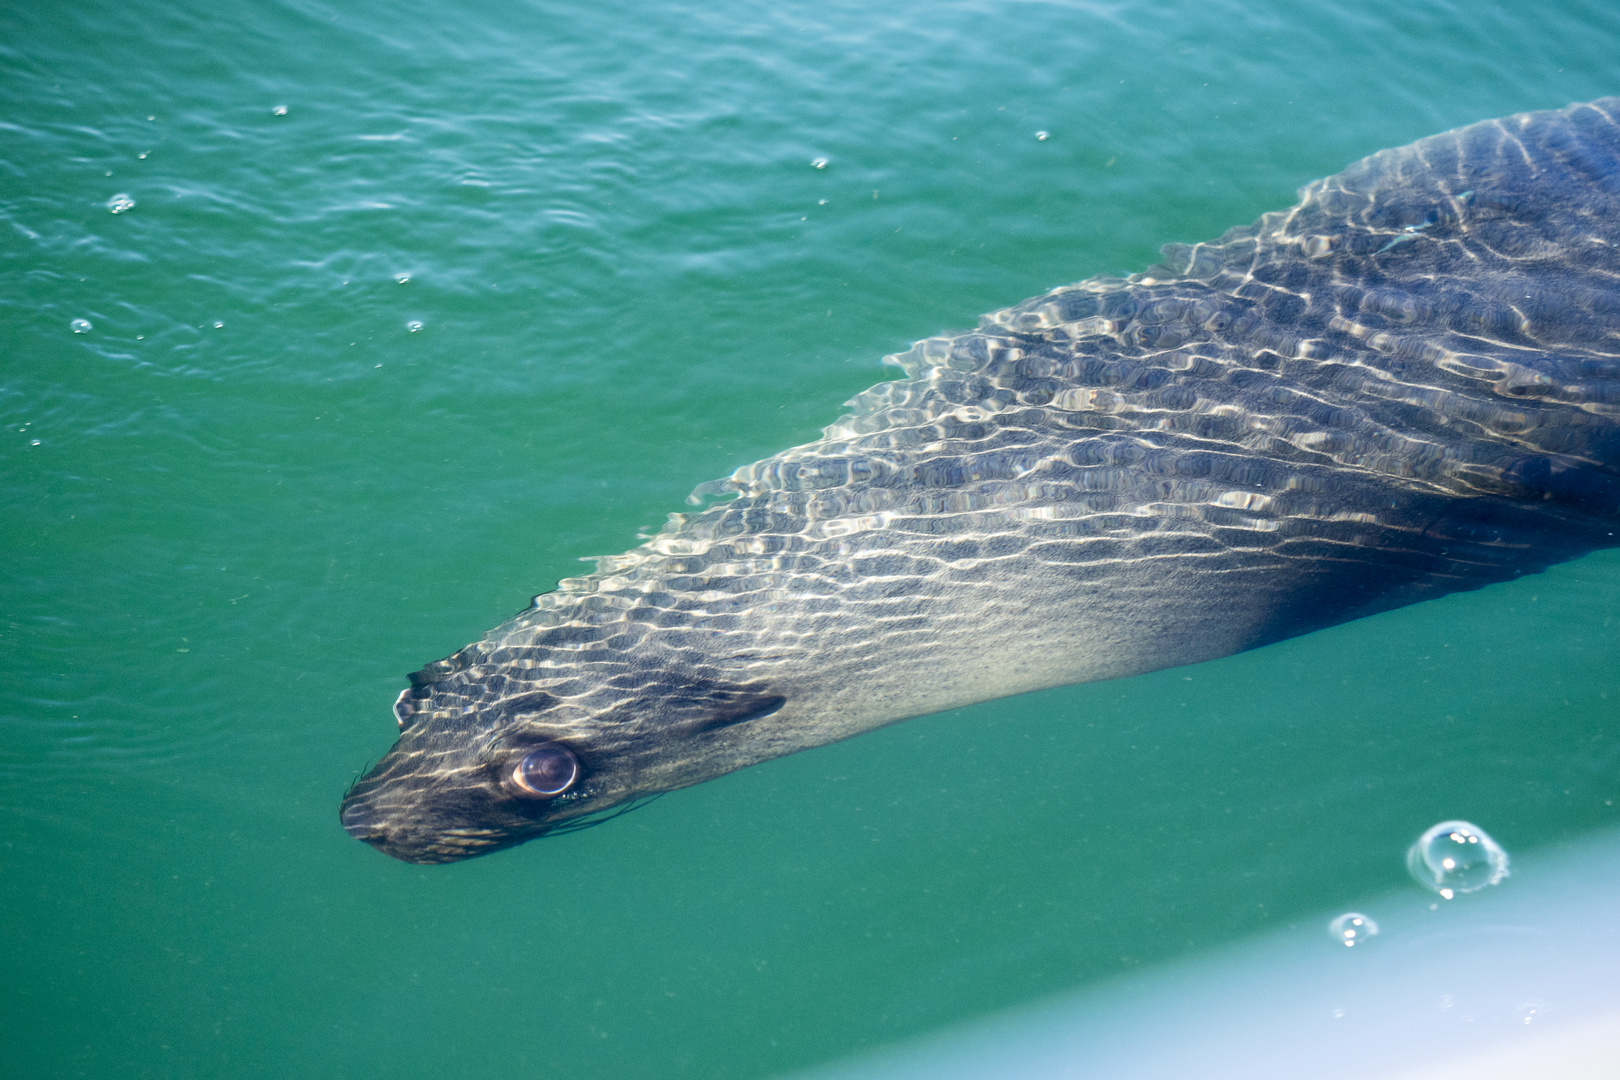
(474, 775)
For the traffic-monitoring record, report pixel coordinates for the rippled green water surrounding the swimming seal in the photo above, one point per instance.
(249, 498)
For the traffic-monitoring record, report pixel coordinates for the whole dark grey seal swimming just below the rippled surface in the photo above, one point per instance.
(1405, 386)
